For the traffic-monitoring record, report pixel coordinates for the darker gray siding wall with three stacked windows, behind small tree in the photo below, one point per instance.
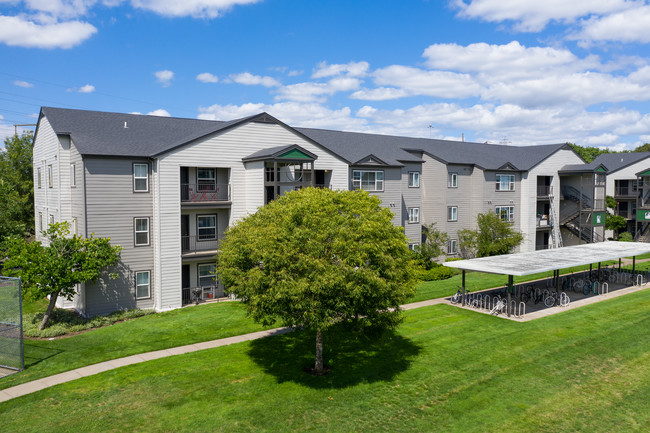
(112, 206)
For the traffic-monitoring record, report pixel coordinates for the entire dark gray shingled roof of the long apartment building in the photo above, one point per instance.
(104, 134)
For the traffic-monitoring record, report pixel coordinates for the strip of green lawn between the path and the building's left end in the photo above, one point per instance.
(144, 334)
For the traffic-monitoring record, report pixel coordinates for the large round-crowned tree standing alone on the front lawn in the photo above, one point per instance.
(314, 258)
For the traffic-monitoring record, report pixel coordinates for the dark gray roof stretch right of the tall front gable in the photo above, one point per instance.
(355, 146)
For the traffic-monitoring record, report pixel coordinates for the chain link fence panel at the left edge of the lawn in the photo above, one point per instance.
(11, 325)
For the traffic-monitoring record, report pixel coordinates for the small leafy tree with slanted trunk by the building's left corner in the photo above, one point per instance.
(55, 268)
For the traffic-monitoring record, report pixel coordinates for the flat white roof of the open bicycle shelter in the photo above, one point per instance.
(548, 260)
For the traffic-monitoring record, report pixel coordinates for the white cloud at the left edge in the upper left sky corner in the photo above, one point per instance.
(21, 32)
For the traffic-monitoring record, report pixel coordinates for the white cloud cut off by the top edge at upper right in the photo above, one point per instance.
(533, 16)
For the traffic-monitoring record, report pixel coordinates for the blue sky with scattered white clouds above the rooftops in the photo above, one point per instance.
(504, 71)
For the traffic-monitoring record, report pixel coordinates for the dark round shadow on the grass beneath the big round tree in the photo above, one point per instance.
(353, 357)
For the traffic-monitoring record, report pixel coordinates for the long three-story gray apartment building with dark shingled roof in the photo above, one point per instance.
(165, 189)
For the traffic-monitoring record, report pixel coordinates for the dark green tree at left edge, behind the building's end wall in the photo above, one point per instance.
(16, 187)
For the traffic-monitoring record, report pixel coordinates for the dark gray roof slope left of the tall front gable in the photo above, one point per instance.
(102, 133)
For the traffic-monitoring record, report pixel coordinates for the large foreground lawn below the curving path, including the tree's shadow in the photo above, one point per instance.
(445, 369)
